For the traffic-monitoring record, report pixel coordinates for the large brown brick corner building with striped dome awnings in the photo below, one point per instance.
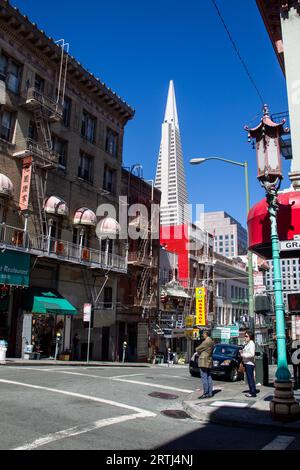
(61, 140)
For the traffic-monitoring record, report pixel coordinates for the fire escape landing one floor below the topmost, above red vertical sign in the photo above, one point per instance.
(41, 155)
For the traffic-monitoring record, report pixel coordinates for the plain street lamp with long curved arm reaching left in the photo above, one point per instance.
(197, 161)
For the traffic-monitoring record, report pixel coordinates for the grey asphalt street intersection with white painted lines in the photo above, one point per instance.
(112, 408)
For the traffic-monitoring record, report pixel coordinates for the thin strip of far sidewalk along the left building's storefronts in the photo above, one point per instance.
(53, 362)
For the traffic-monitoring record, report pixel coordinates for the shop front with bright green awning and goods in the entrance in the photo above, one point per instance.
(46, 319)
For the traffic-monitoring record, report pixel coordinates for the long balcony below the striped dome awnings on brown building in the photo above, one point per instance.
(13, 238)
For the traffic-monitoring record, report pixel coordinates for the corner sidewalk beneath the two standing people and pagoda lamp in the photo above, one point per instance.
(230, 407)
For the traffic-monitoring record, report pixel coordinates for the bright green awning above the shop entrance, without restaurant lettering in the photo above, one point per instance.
(41, 300)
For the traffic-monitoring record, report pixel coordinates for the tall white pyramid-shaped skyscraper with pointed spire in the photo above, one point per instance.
(170, 176)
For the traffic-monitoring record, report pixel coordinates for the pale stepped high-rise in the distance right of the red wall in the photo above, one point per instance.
(230, 238)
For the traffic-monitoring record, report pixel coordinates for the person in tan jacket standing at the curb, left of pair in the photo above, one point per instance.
(205, 351)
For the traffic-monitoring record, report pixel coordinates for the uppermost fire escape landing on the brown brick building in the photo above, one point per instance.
(35, 99)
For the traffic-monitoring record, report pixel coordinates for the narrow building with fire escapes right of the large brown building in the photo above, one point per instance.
(138, 289)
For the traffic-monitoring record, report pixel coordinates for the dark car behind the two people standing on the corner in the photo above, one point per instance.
(226, 361)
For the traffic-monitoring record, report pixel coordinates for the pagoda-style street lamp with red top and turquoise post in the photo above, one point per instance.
(267, 137)
